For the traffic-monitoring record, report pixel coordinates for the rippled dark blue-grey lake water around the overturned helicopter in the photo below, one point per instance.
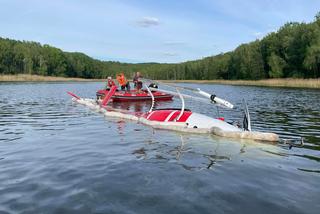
(59, 157)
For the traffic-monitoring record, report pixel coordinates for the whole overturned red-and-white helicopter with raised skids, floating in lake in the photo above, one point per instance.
(183, 119)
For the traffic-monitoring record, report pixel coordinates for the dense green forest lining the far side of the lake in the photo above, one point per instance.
(292, 51)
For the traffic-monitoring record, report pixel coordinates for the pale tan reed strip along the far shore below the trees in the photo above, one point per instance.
(287, 82)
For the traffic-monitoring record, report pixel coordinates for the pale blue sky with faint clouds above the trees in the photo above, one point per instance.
(135, 31)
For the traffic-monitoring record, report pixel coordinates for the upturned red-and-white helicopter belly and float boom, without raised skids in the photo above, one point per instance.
(188, 122)
